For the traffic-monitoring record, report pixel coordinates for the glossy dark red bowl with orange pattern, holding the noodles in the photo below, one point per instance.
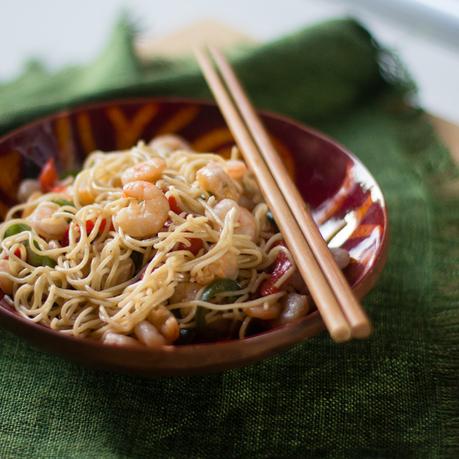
(332, 181)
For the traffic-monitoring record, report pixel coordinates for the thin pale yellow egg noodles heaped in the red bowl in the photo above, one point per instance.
(103, 279)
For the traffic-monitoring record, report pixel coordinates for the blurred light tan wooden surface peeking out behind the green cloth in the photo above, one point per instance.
(181, 43)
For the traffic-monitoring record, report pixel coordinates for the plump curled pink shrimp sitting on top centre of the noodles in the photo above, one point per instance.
(143, 219)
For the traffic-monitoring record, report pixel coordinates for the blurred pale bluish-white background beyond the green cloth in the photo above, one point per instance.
(424, 32)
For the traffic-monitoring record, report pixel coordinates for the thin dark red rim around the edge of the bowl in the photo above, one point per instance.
(314, 319)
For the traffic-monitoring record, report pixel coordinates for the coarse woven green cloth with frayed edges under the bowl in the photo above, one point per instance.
(394, 395)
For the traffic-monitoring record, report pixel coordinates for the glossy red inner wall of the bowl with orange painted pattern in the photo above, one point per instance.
(339, 190)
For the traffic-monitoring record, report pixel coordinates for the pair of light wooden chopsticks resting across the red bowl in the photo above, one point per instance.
(341, 312)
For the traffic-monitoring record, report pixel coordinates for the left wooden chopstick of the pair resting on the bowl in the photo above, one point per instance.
(327, 304)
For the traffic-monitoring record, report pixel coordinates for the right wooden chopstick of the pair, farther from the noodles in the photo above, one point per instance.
(358, 320)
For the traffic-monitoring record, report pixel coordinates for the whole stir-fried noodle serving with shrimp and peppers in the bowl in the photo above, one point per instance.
(150, 246)
